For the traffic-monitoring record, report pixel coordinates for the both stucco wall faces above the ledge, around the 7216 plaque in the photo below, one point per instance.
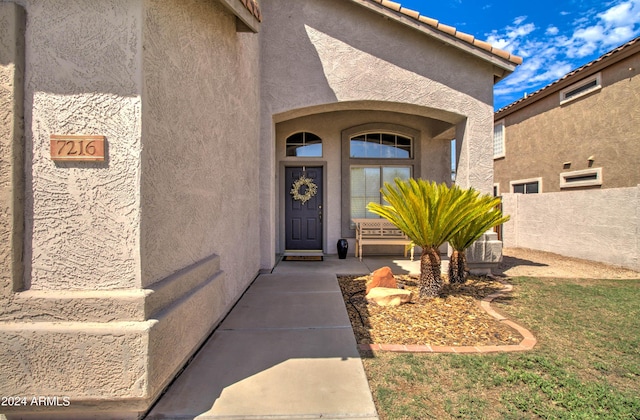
(91, 228)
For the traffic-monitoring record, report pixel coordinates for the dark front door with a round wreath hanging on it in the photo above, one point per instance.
(303, 208)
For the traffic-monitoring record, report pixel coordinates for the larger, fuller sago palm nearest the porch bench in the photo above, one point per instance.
(429, 214)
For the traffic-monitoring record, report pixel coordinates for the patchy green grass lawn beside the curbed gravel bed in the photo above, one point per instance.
(586, 364)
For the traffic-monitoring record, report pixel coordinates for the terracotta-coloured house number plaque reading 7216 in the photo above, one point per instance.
(77, 148)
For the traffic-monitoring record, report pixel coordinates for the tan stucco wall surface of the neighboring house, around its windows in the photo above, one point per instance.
(541, 137)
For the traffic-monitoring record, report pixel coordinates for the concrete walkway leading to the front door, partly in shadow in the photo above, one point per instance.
(285, 351)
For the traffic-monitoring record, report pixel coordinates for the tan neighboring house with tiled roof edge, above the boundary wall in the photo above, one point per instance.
(578, 132)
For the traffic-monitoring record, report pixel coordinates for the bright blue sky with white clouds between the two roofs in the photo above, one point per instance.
(553, 37)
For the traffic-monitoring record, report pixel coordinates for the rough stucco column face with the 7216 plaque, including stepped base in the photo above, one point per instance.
(71, 322)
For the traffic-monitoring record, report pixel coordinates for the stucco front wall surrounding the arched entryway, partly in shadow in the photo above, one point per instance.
(336, 52)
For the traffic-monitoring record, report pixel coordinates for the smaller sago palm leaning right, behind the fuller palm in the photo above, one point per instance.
(486, 215)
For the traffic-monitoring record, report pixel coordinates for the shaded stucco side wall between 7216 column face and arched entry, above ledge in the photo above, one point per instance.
(200, 148)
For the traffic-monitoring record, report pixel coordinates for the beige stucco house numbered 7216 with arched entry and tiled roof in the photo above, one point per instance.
(115, 270)
